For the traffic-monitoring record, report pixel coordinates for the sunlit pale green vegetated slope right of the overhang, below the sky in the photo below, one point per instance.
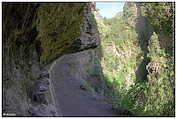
(121, 58)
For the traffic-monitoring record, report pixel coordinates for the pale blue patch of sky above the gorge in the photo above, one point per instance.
(109, 9)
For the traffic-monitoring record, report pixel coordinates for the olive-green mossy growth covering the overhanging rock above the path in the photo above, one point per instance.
(58, 27)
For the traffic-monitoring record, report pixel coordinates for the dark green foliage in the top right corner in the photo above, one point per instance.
(160, 15)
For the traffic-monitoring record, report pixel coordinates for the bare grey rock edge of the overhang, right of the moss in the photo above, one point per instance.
(89, 37)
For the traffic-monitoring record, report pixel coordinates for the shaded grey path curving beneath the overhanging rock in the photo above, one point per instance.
(73, 101)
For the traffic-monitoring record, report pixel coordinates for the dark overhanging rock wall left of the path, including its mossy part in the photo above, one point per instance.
(31, 40)
